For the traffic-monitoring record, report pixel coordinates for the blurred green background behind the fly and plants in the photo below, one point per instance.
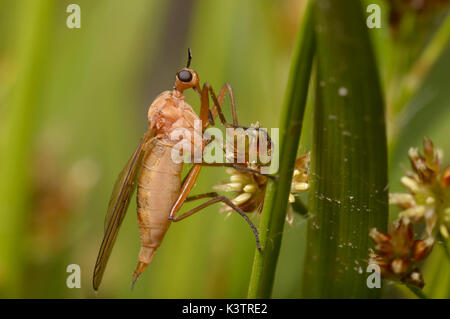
(73, 105)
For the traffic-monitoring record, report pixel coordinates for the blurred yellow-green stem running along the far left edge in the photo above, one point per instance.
(30, 54)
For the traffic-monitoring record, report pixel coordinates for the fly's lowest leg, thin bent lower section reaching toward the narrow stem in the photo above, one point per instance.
(215, 198)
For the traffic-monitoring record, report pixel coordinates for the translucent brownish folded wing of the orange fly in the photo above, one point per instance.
(118, 204)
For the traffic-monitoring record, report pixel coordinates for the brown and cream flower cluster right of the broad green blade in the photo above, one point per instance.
(426, 202)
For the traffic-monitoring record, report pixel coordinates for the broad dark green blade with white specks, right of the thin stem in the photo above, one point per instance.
(348, 184)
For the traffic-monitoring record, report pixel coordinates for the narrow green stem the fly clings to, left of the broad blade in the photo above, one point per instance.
(274, 213)
